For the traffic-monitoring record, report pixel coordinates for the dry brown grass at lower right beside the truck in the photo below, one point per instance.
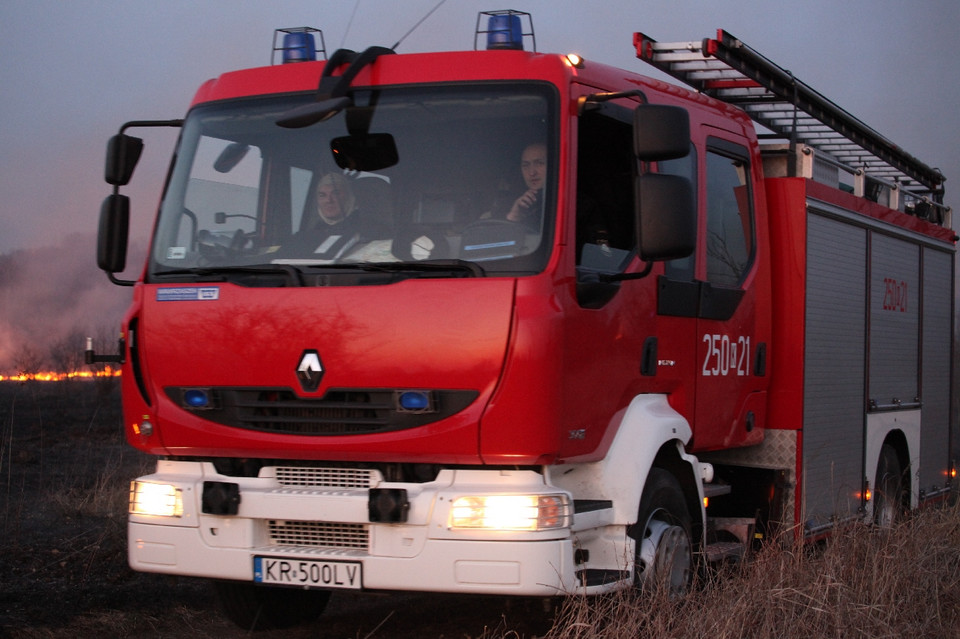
(864, 582)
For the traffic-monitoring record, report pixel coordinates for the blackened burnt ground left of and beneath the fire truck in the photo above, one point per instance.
(64, 474)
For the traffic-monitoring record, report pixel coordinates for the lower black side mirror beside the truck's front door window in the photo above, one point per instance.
(667, 217)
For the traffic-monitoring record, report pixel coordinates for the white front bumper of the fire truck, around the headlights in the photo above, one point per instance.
(424, 553)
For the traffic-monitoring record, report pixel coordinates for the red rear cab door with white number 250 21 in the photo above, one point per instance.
(732, 329)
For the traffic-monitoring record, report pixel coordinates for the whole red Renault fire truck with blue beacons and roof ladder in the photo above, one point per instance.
(506, 322)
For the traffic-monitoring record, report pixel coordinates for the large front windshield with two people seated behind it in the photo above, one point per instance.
(420, 177)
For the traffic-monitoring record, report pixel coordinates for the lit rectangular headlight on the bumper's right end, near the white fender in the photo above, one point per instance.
(511, 512)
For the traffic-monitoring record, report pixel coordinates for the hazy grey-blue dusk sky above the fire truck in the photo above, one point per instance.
(73, 71)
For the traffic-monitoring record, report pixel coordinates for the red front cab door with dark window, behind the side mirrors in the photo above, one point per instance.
(608, 322)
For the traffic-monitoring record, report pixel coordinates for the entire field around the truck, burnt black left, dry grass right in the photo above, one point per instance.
(64, 471)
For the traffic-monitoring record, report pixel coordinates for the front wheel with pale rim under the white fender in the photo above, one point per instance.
(664, 552)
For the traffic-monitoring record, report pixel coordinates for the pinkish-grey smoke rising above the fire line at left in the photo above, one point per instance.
(52, 297)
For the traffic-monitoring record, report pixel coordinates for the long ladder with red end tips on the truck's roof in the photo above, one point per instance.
(728, 70)
